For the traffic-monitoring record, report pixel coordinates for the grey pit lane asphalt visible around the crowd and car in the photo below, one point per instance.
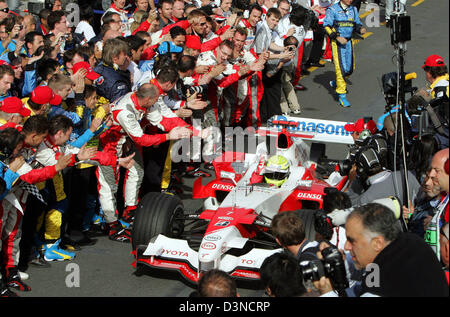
(105, 268)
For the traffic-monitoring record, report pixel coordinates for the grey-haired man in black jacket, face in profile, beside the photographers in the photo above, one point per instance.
(396, 264)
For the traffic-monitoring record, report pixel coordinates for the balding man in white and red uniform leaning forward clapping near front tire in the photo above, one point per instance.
(127, 113)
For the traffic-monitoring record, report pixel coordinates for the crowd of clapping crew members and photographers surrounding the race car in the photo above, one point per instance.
(102, 107)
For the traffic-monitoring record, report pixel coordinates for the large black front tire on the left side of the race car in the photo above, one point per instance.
(157, 213)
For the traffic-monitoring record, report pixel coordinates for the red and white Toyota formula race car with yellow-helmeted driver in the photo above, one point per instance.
(232, 231)
